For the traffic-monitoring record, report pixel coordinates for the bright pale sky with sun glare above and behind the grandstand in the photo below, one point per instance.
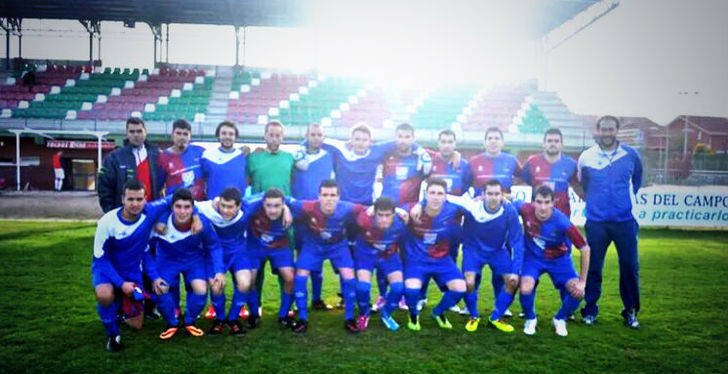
(634, 61)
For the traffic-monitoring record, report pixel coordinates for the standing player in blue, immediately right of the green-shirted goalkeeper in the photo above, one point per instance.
(313, 165)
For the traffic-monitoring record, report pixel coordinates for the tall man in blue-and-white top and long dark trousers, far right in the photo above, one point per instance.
(607, 170)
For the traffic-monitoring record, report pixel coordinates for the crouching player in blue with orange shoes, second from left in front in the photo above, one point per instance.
(180, 251)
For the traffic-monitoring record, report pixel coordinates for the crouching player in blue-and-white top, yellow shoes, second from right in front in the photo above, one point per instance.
(491, 227)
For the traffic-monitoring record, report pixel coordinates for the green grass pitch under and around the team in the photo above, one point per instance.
(50, 322)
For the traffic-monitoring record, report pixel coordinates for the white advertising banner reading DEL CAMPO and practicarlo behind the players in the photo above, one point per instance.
(675, 206)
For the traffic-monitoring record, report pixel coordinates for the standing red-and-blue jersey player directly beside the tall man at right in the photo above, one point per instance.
(554, 169)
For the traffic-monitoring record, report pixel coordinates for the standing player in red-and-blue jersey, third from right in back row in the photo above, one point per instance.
(494, 164)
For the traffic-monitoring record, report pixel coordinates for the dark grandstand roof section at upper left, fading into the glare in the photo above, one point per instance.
(278, 13)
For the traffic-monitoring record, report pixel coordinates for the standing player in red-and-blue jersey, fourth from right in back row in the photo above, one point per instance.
(455, 171)
